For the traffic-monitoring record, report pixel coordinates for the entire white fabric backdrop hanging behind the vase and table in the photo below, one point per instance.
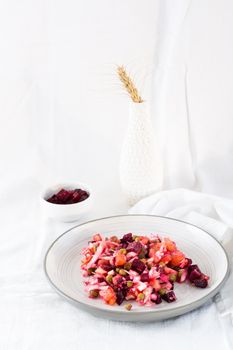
(61, 114)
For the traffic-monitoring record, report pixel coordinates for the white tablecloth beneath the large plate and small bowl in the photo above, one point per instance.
(34, 317)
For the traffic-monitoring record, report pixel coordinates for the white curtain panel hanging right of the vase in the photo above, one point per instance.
(192, 97)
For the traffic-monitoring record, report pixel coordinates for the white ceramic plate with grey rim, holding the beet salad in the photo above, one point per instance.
(62, 265)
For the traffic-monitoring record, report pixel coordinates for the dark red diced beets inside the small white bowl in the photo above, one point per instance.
(68, 196)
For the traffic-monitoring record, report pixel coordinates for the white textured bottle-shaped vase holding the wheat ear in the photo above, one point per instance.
(140, 169)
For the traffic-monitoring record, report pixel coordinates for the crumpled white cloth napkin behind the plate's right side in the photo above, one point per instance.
(211, 213)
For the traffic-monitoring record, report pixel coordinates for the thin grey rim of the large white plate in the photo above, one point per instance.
(189, 307)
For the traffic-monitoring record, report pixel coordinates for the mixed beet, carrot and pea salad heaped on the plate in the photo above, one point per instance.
(140, 268)
